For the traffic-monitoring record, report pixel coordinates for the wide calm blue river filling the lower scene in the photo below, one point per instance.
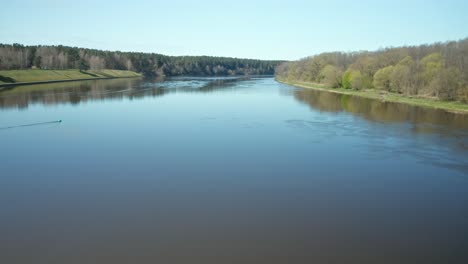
(227, 170)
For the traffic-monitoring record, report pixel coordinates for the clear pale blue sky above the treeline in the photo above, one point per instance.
(288, 29)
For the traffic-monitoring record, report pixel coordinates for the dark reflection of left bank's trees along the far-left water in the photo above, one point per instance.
(96, 90)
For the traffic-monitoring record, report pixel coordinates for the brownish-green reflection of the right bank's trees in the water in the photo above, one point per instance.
(376, 110)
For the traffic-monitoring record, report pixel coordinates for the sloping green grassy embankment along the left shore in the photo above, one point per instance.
(25, 76)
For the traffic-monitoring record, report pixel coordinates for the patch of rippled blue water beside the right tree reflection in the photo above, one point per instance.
(387, 141)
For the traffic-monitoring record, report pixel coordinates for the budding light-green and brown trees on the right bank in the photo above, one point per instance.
(437, 70)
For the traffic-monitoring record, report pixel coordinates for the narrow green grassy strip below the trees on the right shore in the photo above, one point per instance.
(453, 107)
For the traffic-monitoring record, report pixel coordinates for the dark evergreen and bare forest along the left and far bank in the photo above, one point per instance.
(17, 56)
